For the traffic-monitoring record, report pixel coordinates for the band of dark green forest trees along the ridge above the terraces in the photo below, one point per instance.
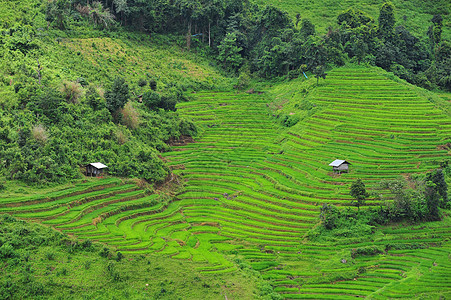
(241, 33)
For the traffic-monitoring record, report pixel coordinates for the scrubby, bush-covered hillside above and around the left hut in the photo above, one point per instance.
(60, 107)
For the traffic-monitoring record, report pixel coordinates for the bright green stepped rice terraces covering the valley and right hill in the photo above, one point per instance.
(252, 190)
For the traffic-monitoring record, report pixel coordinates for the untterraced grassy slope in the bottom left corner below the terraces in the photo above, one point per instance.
(40, 263)
